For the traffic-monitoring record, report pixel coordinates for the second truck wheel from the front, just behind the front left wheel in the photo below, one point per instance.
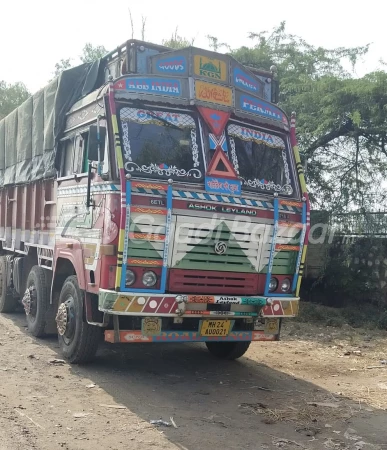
(36, 300)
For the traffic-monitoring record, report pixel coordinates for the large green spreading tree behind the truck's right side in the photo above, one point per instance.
(341, 121)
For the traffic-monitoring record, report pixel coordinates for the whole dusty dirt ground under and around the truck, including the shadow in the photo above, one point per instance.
(320, 388)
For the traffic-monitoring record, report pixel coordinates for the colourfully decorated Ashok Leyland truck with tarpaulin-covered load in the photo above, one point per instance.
(153, 196)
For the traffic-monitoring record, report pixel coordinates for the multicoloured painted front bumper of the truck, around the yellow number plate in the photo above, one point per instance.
(264, 312)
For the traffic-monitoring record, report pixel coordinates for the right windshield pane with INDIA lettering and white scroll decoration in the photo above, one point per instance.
(261, 159)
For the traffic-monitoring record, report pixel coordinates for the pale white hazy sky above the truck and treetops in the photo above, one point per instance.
(34, 35)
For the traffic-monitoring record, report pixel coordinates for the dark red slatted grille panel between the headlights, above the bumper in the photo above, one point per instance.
(205, 282)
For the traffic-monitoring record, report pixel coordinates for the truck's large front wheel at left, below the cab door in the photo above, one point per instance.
(78, 340)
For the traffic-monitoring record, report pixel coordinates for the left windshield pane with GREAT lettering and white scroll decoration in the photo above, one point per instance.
(161, 144)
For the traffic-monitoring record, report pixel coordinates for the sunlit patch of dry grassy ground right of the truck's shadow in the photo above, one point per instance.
(347, 361)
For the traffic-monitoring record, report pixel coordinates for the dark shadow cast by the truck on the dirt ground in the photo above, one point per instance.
(242, 404)
